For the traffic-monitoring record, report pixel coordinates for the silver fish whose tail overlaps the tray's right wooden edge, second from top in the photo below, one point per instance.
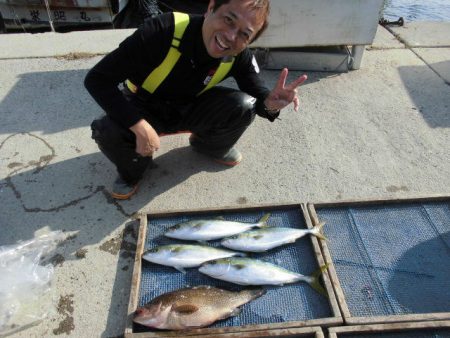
(264, 239)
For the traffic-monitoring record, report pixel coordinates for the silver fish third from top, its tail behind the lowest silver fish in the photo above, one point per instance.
(181, 256)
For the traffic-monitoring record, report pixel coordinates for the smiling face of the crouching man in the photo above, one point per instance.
(231, 27)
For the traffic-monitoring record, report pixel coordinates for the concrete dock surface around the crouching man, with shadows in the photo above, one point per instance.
(380, 132)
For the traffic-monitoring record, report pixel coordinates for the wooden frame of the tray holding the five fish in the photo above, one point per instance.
(288, 328)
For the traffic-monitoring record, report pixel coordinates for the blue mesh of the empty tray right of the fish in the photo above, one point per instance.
(391, 259)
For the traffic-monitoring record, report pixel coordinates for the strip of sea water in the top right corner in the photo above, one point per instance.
(416, 10)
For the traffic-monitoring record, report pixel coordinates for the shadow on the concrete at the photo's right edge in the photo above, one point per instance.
(429, 95)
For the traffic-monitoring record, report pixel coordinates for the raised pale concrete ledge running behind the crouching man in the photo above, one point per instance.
(424, 34)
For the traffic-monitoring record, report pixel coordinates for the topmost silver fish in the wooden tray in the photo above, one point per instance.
(207, 230)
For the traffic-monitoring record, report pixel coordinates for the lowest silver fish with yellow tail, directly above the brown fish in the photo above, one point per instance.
(248, 271)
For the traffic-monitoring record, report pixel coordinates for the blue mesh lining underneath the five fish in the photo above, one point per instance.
(294, 302)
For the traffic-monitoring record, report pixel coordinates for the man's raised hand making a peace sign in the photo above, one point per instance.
(283, 94)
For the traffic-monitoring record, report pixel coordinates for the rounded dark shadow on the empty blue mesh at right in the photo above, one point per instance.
(425, 289)
